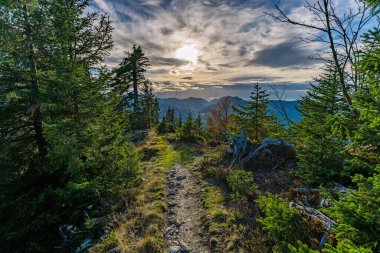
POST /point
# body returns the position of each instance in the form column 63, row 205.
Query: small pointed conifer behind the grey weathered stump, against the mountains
column 253, row 115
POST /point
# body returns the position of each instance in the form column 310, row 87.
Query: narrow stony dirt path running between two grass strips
column 186, row 216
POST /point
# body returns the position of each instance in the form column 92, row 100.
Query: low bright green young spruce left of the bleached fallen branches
column 283, row 224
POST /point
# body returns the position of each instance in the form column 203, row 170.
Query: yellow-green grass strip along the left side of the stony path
column 142, row 232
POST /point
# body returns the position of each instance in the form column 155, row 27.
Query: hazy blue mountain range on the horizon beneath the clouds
column 202, row 106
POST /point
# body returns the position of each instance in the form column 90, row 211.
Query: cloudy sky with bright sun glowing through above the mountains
column 213, row 48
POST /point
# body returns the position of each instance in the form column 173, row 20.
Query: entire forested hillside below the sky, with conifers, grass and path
column 89, row 163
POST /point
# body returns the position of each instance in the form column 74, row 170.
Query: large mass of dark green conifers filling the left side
column 63, row 156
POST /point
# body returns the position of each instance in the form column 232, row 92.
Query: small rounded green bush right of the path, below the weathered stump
column 241, row 183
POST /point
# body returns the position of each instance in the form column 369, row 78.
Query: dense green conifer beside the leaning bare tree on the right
column 320, row 154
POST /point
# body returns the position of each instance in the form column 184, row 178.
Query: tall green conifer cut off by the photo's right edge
column 365, row 146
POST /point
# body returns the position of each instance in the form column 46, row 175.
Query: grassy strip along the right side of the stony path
column 231, row 226
